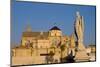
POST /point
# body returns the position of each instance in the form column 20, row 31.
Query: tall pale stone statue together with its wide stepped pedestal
column 80, row 53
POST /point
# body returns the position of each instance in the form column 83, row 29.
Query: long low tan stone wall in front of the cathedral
column 25, row 56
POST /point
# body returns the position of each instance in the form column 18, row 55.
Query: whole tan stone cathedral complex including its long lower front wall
column 39, row 47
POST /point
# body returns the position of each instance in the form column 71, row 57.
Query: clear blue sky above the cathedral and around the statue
column 43, row 16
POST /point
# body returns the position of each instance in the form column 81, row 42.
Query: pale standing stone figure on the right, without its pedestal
column 79, row 30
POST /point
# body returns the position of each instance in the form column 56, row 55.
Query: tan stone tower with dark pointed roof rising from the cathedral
column 55, row 34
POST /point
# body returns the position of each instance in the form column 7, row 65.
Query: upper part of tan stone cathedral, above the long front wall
column 51, row 38
